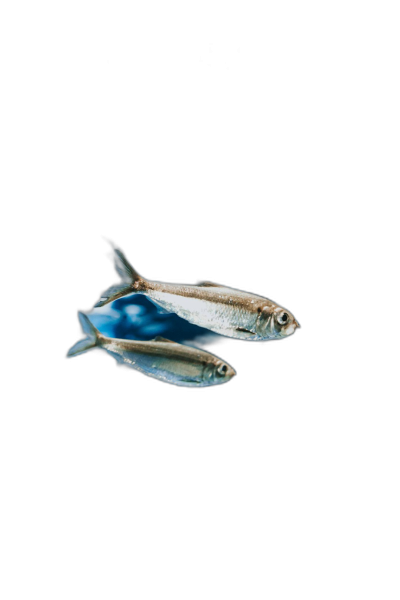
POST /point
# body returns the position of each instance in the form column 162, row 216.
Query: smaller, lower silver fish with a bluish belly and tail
column 159, row 358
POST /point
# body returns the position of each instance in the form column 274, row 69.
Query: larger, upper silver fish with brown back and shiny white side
column 224, row 310
